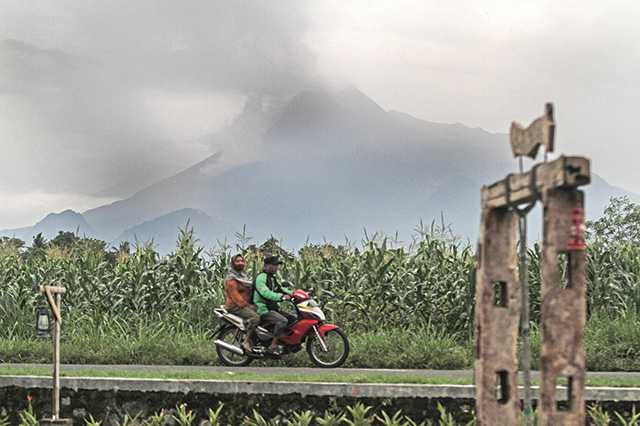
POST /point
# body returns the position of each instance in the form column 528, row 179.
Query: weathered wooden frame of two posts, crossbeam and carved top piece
column 502, row 290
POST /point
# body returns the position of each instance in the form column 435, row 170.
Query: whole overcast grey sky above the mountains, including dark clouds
column 96, row 94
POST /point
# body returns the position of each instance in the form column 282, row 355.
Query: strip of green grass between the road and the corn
column 612, row 344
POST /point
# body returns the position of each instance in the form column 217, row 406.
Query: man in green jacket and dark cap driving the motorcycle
column 267, row 293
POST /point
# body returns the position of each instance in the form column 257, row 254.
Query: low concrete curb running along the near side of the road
column 359, row 390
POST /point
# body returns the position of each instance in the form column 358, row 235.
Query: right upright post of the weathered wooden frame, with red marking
column 563, row 308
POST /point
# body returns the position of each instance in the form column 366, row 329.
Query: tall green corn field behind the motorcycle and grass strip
column 375, row 284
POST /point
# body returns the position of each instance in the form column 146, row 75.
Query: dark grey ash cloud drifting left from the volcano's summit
column 108, row 96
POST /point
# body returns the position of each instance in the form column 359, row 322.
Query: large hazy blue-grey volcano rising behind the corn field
column 324, row 165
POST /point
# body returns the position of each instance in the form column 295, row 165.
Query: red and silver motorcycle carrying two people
column 326, row 344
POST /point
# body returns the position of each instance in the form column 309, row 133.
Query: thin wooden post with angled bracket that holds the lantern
column 53, row 295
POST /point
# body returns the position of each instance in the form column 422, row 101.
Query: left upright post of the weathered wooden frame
column 498, row 301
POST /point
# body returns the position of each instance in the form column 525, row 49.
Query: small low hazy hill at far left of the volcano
column 53, row 223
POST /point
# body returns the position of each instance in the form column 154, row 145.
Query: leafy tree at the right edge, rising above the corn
column 620, row 222
